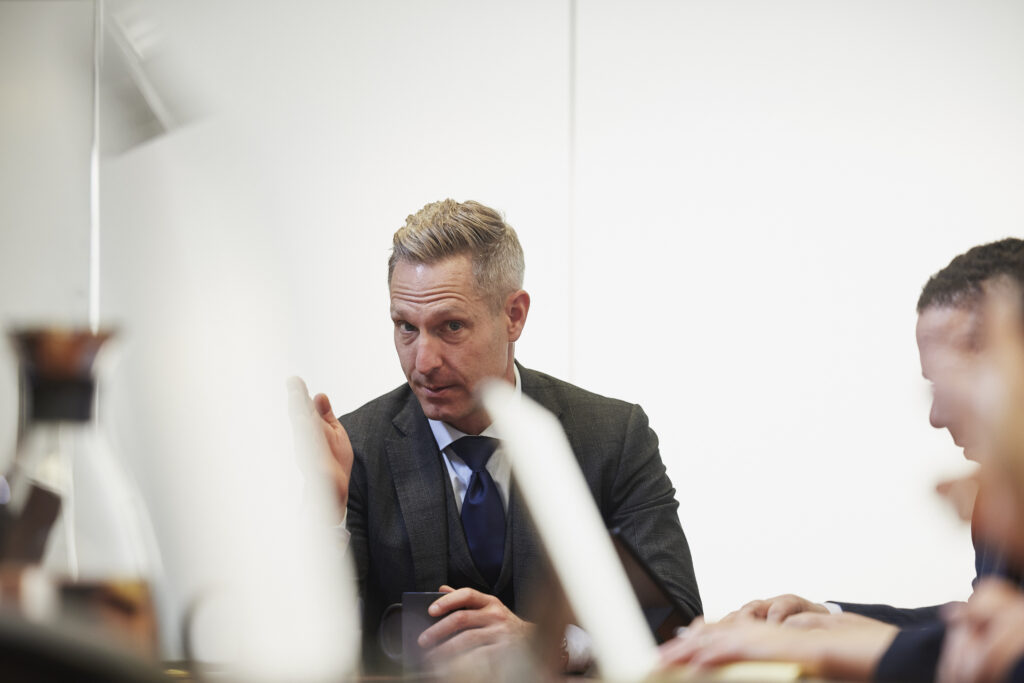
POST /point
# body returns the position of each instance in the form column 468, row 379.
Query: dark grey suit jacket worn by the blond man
column 399, row 515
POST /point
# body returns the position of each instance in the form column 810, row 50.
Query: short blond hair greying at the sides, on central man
column 443, row 230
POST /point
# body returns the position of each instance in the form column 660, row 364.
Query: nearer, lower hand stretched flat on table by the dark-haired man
column 848, row 649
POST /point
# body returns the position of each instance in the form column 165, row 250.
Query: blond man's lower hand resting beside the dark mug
column 473, row 621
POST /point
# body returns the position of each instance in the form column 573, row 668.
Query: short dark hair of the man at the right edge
column 962, row 284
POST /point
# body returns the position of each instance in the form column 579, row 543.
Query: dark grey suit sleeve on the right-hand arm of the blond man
column 643, row 504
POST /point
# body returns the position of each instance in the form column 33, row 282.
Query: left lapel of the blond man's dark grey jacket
column 419, row 478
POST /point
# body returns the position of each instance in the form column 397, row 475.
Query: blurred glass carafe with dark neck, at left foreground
column 69, row 508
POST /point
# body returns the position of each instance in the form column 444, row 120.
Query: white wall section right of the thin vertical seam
column 762, row 191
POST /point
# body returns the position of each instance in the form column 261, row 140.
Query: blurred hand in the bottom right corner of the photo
column 986, row 637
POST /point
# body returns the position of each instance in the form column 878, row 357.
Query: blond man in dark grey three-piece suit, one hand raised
column 414, row 492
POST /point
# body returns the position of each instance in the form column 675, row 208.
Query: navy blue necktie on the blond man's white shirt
column 483, row 513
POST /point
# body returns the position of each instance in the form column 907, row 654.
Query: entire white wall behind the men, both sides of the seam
column 729, row 210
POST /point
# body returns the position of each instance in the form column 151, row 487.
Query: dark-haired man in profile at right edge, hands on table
column 855, row 641
